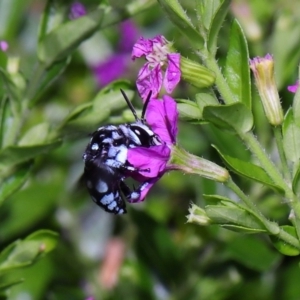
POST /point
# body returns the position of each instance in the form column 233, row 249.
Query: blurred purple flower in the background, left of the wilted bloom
column 117, row 64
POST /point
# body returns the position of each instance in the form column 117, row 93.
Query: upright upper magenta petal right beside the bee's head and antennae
column 162, row 117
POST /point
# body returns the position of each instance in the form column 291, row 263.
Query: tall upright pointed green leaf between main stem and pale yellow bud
column 237, row 70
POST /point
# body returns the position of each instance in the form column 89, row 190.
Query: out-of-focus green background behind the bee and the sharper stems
column 150, row 253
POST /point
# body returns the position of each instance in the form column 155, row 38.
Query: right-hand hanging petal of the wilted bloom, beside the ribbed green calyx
column 173, row 73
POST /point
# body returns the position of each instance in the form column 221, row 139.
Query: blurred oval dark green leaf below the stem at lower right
column 252, row 253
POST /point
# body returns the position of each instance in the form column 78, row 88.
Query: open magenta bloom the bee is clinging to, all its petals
column 162, row 117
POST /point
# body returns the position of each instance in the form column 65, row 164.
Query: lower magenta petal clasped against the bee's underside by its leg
column 154, row 158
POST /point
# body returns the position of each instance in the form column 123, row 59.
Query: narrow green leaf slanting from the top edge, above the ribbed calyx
column 179, row 18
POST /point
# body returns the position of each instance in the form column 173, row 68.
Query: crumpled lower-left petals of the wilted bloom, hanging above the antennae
column 149, row 80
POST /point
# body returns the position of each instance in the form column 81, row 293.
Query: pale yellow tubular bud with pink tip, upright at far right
column 263, row 70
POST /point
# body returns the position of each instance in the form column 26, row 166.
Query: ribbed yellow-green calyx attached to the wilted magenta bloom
column 196, row 74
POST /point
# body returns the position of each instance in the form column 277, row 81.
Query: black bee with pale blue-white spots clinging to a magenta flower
column 106, row 165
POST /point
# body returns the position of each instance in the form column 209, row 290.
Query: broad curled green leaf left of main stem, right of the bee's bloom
column 234, row 117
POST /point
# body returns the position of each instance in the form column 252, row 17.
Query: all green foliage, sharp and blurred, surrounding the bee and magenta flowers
column 248, row 241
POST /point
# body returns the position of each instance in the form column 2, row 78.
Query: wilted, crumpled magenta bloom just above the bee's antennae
column 162, row 68
